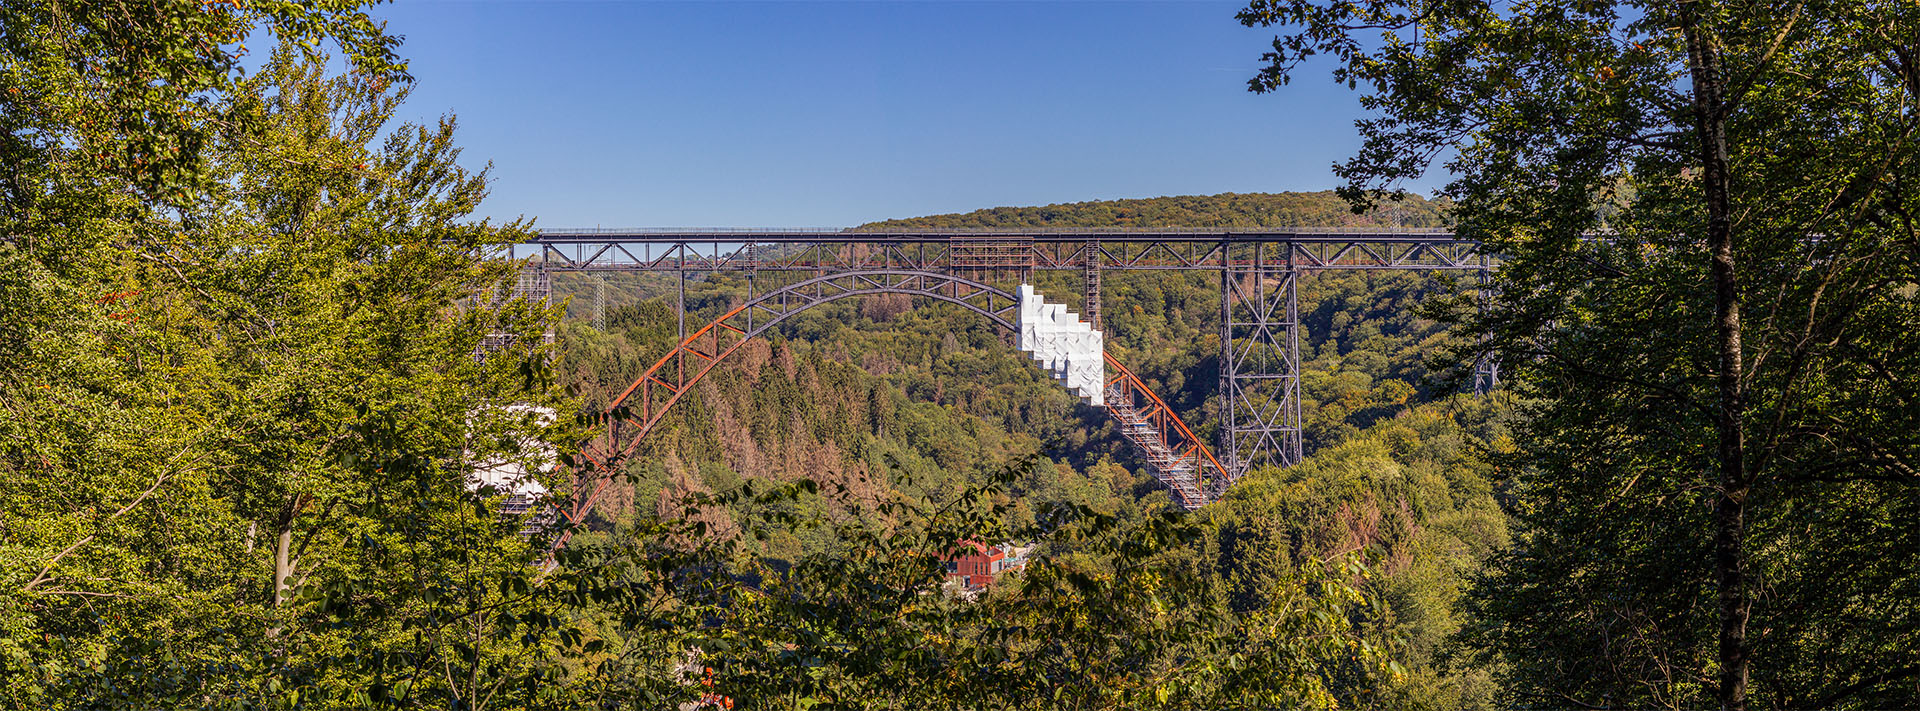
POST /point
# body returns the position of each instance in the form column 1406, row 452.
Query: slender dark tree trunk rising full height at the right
column 1731, row 508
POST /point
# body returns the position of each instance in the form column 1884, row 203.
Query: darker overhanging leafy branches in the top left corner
column 107, row 95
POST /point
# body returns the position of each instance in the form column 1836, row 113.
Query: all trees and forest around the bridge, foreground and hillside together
column 256, row 349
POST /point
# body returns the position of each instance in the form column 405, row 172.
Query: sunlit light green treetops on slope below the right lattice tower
column 1416, row 495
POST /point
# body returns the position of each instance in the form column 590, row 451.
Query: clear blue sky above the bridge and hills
column 832, row 114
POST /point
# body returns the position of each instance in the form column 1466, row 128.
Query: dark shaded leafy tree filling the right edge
column 1717, row 381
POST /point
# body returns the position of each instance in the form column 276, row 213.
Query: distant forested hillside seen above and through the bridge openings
column 867, row 380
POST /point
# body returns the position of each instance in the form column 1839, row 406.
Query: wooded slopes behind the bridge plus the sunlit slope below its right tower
column 896, row 401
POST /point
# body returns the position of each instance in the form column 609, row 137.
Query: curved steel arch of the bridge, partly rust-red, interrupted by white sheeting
column 1178, row 458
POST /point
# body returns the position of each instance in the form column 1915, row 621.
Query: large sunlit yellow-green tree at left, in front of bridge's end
column 237, row 472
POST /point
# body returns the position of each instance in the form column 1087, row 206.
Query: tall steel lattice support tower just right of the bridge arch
column 1259, row 358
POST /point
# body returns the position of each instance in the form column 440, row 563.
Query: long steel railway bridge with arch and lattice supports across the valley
column 788, row 272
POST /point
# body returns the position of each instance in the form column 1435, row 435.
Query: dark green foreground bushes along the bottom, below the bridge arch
column 1128, row 622
